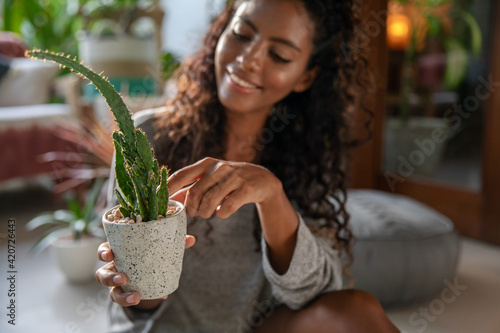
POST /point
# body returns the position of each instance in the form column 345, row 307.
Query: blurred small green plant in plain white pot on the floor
column 73, row 236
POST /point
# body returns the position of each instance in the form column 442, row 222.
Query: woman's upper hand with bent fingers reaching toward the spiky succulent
column 222, row 187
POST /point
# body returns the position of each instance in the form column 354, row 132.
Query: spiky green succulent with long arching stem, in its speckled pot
column 154, row 225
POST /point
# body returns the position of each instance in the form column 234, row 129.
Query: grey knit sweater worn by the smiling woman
column 227, row 285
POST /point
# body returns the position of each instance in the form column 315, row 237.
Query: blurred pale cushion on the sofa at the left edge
column 27, row 82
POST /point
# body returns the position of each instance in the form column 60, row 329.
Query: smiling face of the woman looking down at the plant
column 262, row 55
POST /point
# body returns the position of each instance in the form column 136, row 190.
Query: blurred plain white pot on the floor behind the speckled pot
column 77, row 259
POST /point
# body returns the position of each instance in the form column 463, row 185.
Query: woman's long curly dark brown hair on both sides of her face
column 309, row 154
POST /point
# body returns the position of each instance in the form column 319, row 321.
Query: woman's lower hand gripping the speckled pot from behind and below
column 108, row 276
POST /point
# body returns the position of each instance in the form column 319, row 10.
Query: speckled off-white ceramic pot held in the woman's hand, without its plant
column 149, row 253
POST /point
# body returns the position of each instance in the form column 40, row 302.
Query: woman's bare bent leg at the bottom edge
column 346, row 311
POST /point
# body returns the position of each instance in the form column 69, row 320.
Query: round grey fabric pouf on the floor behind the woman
column 404, row 250
